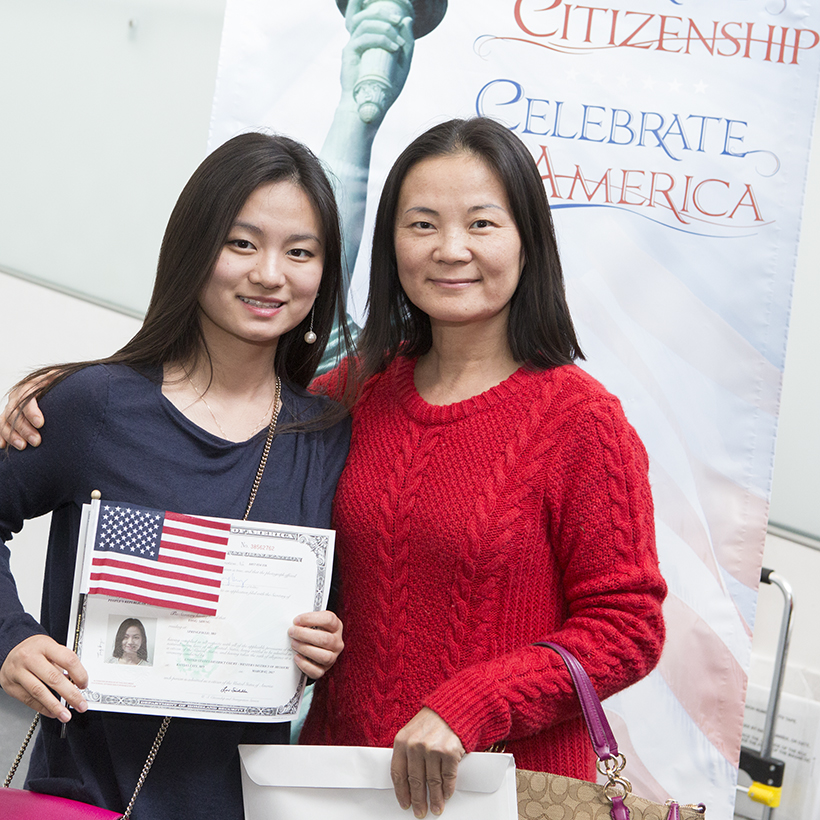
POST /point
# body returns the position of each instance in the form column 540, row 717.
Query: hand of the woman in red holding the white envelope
column 426, row 754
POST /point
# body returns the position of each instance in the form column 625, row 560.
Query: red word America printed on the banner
column 663, row 196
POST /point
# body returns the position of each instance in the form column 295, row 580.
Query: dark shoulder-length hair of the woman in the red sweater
column 540, row 330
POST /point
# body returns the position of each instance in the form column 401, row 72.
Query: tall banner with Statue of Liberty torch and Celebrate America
column 673, row 140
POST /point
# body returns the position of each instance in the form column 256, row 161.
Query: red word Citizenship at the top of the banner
column 570, row 27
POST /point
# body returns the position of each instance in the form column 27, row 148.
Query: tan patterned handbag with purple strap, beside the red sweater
column 543, row 796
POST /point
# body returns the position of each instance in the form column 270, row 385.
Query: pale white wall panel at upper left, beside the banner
column 105, row 107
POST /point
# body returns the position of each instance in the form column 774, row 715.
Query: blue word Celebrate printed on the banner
column 507, row 101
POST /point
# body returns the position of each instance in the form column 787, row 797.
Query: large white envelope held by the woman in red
column 353, row 783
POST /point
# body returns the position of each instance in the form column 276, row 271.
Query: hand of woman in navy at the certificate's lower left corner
column 39, row 671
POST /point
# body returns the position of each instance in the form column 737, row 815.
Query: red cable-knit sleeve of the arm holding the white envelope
column 600, row 527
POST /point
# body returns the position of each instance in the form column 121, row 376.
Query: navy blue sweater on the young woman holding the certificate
column 110, row 428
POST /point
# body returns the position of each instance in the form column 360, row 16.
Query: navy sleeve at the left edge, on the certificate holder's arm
column 38, row 480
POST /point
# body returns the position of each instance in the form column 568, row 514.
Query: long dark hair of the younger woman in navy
column 195, row 235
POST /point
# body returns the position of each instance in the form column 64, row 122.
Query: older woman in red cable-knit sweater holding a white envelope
column 494, row 494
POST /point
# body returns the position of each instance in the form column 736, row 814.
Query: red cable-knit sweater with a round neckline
column 468, row 531
